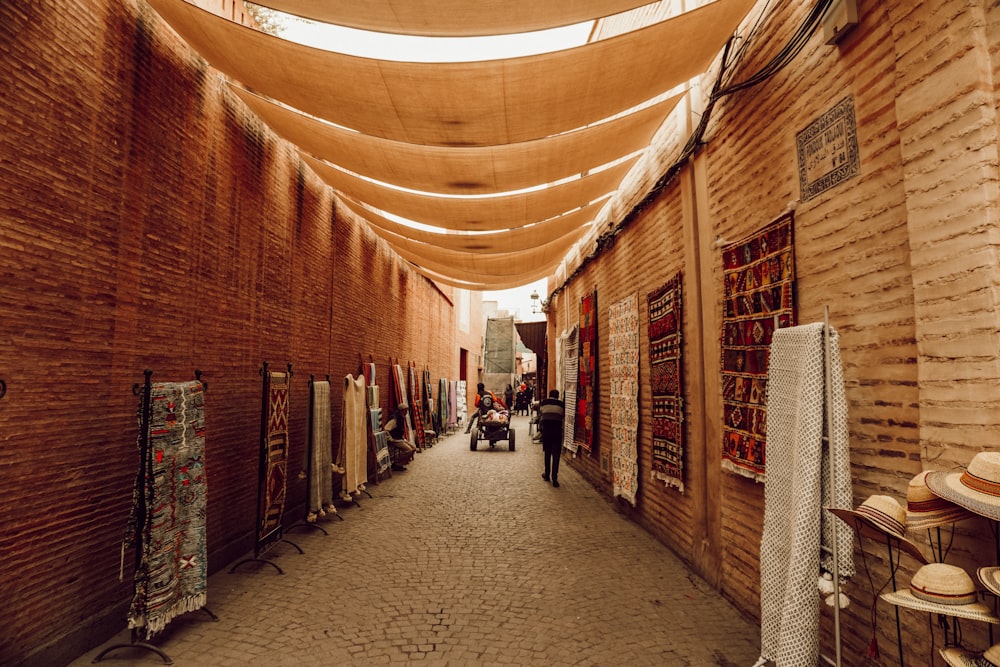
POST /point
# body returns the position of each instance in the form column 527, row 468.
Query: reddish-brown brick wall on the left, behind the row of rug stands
column 147, row 220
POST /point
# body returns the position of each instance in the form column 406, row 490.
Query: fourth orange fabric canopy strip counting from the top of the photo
column 475, row 213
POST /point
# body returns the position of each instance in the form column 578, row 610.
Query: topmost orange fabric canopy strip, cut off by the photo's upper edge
column 452, row 18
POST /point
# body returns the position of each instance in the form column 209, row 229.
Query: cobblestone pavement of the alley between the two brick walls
column 467, row 558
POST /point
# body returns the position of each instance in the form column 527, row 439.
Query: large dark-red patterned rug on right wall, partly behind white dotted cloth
column 759, row 276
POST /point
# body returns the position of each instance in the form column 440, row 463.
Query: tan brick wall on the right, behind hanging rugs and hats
column 904, row 256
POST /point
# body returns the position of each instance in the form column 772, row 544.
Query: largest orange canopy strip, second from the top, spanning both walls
column 473, row 103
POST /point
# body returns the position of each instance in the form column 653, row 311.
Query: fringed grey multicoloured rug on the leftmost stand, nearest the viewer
column 171, row 577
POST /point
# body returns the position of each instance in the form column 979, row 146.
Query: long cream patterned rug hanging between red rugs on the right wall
column 623, row 372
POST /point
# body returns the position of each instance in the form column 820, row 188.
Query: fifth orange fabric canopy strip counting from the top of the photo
column 508, row 240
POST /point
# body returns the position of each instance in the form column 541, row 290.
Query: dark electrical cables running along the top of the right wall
column 780, row 60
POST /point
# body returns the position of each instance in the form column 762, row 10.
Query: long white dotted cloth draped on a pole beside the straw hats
column 798, row 536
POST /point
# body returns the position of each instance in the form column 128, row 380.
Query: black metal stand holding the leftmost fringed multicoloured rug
column 142, row 500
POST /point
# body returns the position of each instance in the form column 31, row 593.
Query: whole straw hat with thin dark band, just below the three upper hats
column 940, row 588
